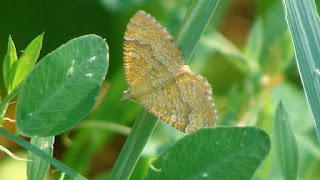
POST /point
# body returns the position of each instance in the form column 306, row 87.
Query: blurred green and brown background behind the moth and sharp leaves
column 239, row 30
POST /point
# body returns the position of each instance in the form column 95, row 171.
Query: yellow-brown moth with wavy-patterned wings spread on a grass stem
column 160, row 81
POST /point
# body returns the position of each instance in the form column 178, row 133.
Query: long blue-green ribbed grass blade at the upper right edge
column 304, row 26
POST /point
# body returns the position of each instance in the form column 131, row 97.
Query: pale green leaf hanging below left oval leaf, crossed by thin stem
column 38, row 167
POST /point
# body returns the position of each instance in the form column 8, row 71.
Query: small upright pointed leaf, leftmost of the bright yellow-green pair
column 8, row 64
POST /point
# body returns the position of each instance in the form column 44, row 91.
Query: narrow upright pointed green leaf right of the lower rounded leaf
column 285, row 144
